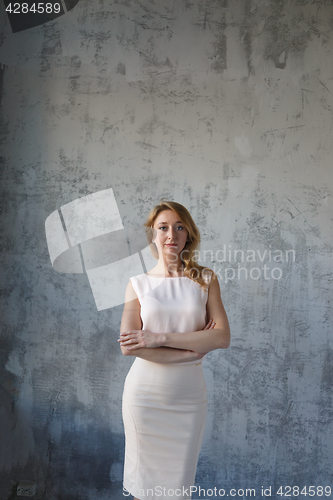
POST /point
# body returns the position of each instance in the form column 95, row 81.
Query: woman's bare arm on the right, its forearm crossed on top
column 202, row 341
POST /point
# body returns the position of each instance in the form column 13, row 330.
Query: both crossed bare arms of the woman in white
column 174, row 347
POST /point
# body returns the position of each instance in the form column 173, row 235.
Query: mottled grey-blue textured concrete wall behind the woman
column 226, row 107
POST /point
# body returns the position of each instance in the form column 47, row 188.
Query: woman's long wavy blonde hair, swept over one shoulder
column 192, row 269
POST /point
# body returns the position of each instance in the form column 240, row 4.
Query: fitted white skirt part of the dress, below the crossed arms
column 164, row 414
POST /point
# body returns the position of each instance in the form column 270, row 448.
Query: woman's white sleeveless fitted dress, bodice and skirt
column 165, row 405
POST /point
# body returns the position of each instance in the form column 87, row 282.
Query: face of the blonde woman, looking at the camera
column 170, row 234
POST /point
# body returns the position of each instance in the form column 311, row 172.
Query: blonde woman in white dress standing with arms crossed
column 172, row 317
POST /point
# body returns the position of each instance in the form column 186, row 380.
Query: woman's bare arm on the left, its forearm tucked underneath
column 131, row 320
